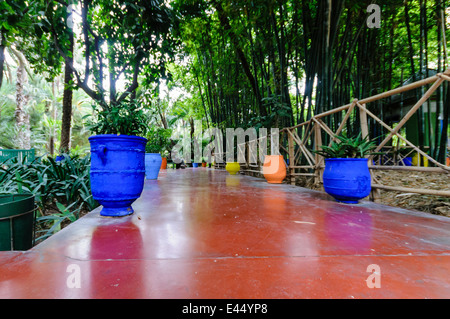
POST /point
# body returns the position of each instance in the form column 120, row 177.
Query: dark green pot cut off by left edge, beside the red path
column 16, row 222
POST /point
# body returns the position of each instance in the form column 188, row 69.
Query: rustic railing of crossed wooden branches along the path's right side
column 303, row 162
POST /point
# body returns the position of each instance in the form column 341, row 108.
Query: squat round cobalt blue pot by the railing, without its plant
column 347, row 179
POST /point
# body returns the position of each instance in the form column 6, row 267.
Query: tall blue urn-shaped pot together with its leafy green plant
column 117, row 156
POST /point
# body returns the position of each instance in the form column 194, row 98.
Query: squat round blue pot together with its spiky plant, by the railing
column 346, row 176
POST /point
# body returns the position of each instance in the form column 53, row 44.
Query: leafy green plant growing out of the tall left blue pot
column 124, row 118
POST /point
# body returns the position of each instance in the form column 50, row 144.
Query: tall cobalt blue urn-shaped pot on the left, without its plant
column 117, row 172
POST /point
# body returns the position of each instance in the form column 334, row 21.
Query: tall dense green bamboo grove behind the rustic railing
column 276, row 63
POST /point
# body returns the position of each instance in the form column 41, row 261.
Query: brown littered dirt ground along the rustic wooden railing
column 437, row 205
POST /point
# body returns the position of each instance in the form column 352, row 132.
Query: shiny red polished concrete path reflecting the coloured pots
column 201, row 233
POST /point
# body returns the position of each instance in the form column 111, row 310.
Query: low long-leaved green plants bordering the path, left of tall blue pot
column 61, row 189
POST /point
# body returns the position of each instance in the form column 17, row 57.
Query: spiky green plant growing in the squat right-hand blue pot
column 348, row 147
